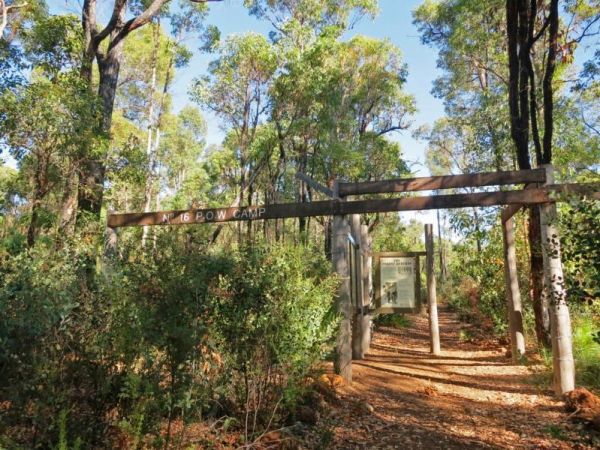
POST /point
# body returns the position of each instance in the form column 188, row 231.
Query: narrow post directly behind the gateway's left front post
column 358, row 350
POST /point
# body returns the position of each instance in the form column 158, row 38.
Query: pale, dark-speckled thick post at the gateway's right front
column 554, row 286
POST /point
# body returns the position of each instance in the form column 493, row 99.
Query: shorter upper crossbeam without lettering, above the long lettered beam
column 443, row 182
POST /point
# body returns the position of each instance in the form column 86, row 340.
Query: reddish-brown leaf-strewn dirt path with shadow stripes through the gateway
column 471, row 396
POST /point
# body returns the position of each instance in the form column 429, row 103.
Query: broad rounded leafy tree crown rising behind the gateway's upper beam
column 334, row 104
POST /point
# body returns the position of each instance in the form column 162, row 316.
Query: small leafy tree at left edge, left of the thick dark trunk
column 45, row 125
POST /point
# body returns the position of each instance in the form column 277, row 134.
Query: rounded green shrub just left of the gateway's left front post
column 274, row 318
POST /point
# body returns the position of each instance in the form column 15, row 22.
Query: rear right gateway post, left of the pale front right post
column 513, row 295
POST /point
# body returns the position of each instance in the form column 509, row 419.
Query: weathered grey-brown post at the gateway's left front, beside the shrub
column 341, row 266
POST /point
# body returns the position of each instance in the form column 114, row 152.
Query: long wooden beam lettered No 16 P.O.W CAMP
column 335, row 207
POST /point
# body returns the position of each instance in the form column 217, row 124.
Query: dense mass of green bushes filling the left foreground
column 103, row 359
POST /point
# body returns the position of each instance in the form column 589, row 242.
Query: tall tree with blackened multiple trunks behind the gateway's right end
column 496, row 65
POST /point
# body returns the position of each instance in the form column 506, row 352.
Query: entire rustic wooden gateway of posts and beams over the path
column 539, row 191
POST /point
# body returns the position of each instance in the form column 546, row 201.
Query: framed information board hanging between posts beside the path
column 397, row 282
